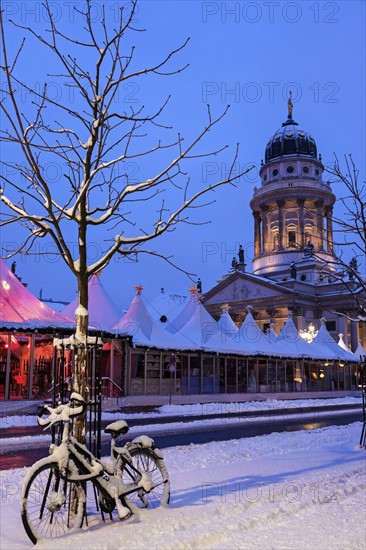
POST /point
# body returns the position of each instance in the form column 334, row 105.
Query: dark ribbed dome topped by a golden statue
column 290, row 139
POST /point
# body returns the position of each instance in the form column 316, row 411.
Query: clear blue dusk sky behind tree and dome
column 248, row 55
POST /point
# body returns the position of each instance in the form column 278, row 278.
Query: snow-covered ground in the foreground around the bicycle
column 291, row 490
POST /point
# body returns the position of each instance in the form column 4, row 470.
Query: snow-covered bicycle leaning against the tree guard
column 53, row 498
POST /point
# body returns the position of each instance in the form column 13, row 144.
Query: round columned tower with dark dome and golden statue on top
column 293, row 207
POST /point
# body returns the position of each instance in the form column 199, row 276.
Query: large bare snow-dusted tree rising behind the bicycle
column 93, row 140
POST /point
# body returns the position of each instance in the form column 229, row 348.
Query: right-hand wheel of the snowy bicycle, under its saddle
column 152, row 474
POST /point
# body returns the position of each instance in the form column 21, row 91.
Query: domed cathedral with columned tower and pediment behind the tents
column 294, row 269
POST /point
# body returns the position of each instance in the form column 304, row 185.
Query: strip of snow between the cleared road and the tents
column 12, row 421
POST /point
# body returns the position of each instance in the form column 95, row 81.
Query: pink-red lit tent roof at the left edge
column 20, row 309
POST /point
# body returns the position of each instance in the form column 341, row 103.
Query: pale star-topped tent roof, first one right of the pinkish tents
column 138, row 323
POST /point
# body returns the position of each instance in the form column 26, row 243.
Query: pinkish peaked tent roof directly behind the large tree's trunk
column 103, row 312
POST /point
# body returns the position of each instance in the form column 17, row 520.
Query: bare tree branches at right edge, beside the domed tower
column 350, row 232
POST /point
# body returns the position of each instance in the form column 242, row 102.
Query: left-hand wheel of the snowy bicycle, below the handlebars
column 51, row 505
